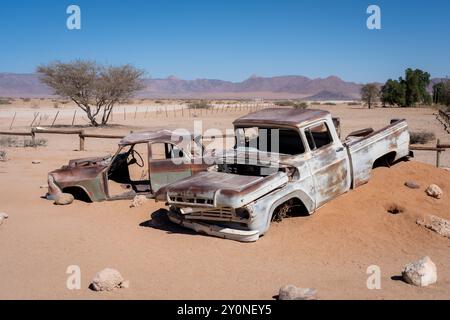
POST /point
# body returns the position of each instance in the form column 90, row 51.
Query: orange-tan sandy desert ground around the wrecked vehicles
column 329, row 250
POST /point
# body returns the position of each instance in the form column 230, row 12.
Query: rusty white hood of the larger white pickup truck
column 218, row 189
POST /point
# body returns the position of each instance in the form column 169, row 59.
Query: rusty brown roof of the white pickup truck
column 282, row 116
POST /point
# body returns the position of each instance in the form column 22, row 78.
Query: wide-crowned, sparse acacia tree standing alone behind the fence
column 94, row 88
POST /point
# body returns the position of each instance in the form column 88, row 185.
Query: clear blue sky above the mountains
column 231, row 40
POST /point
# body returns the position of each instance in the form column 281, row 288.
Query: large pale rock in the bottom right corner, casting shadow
column 420, row 273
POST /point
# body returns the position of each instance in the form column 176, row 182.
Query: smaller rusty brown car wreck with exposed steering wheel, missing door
column 142, row 164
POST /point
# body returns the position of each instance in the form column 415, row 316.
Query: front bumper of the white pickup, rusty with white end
column 214, row 230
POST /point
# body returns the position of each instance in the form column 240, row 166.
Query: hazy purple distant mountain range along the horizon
column 281, row 87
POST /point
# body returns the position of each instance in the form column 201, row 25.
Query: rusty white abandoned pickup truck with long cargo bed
column 237, row 198
